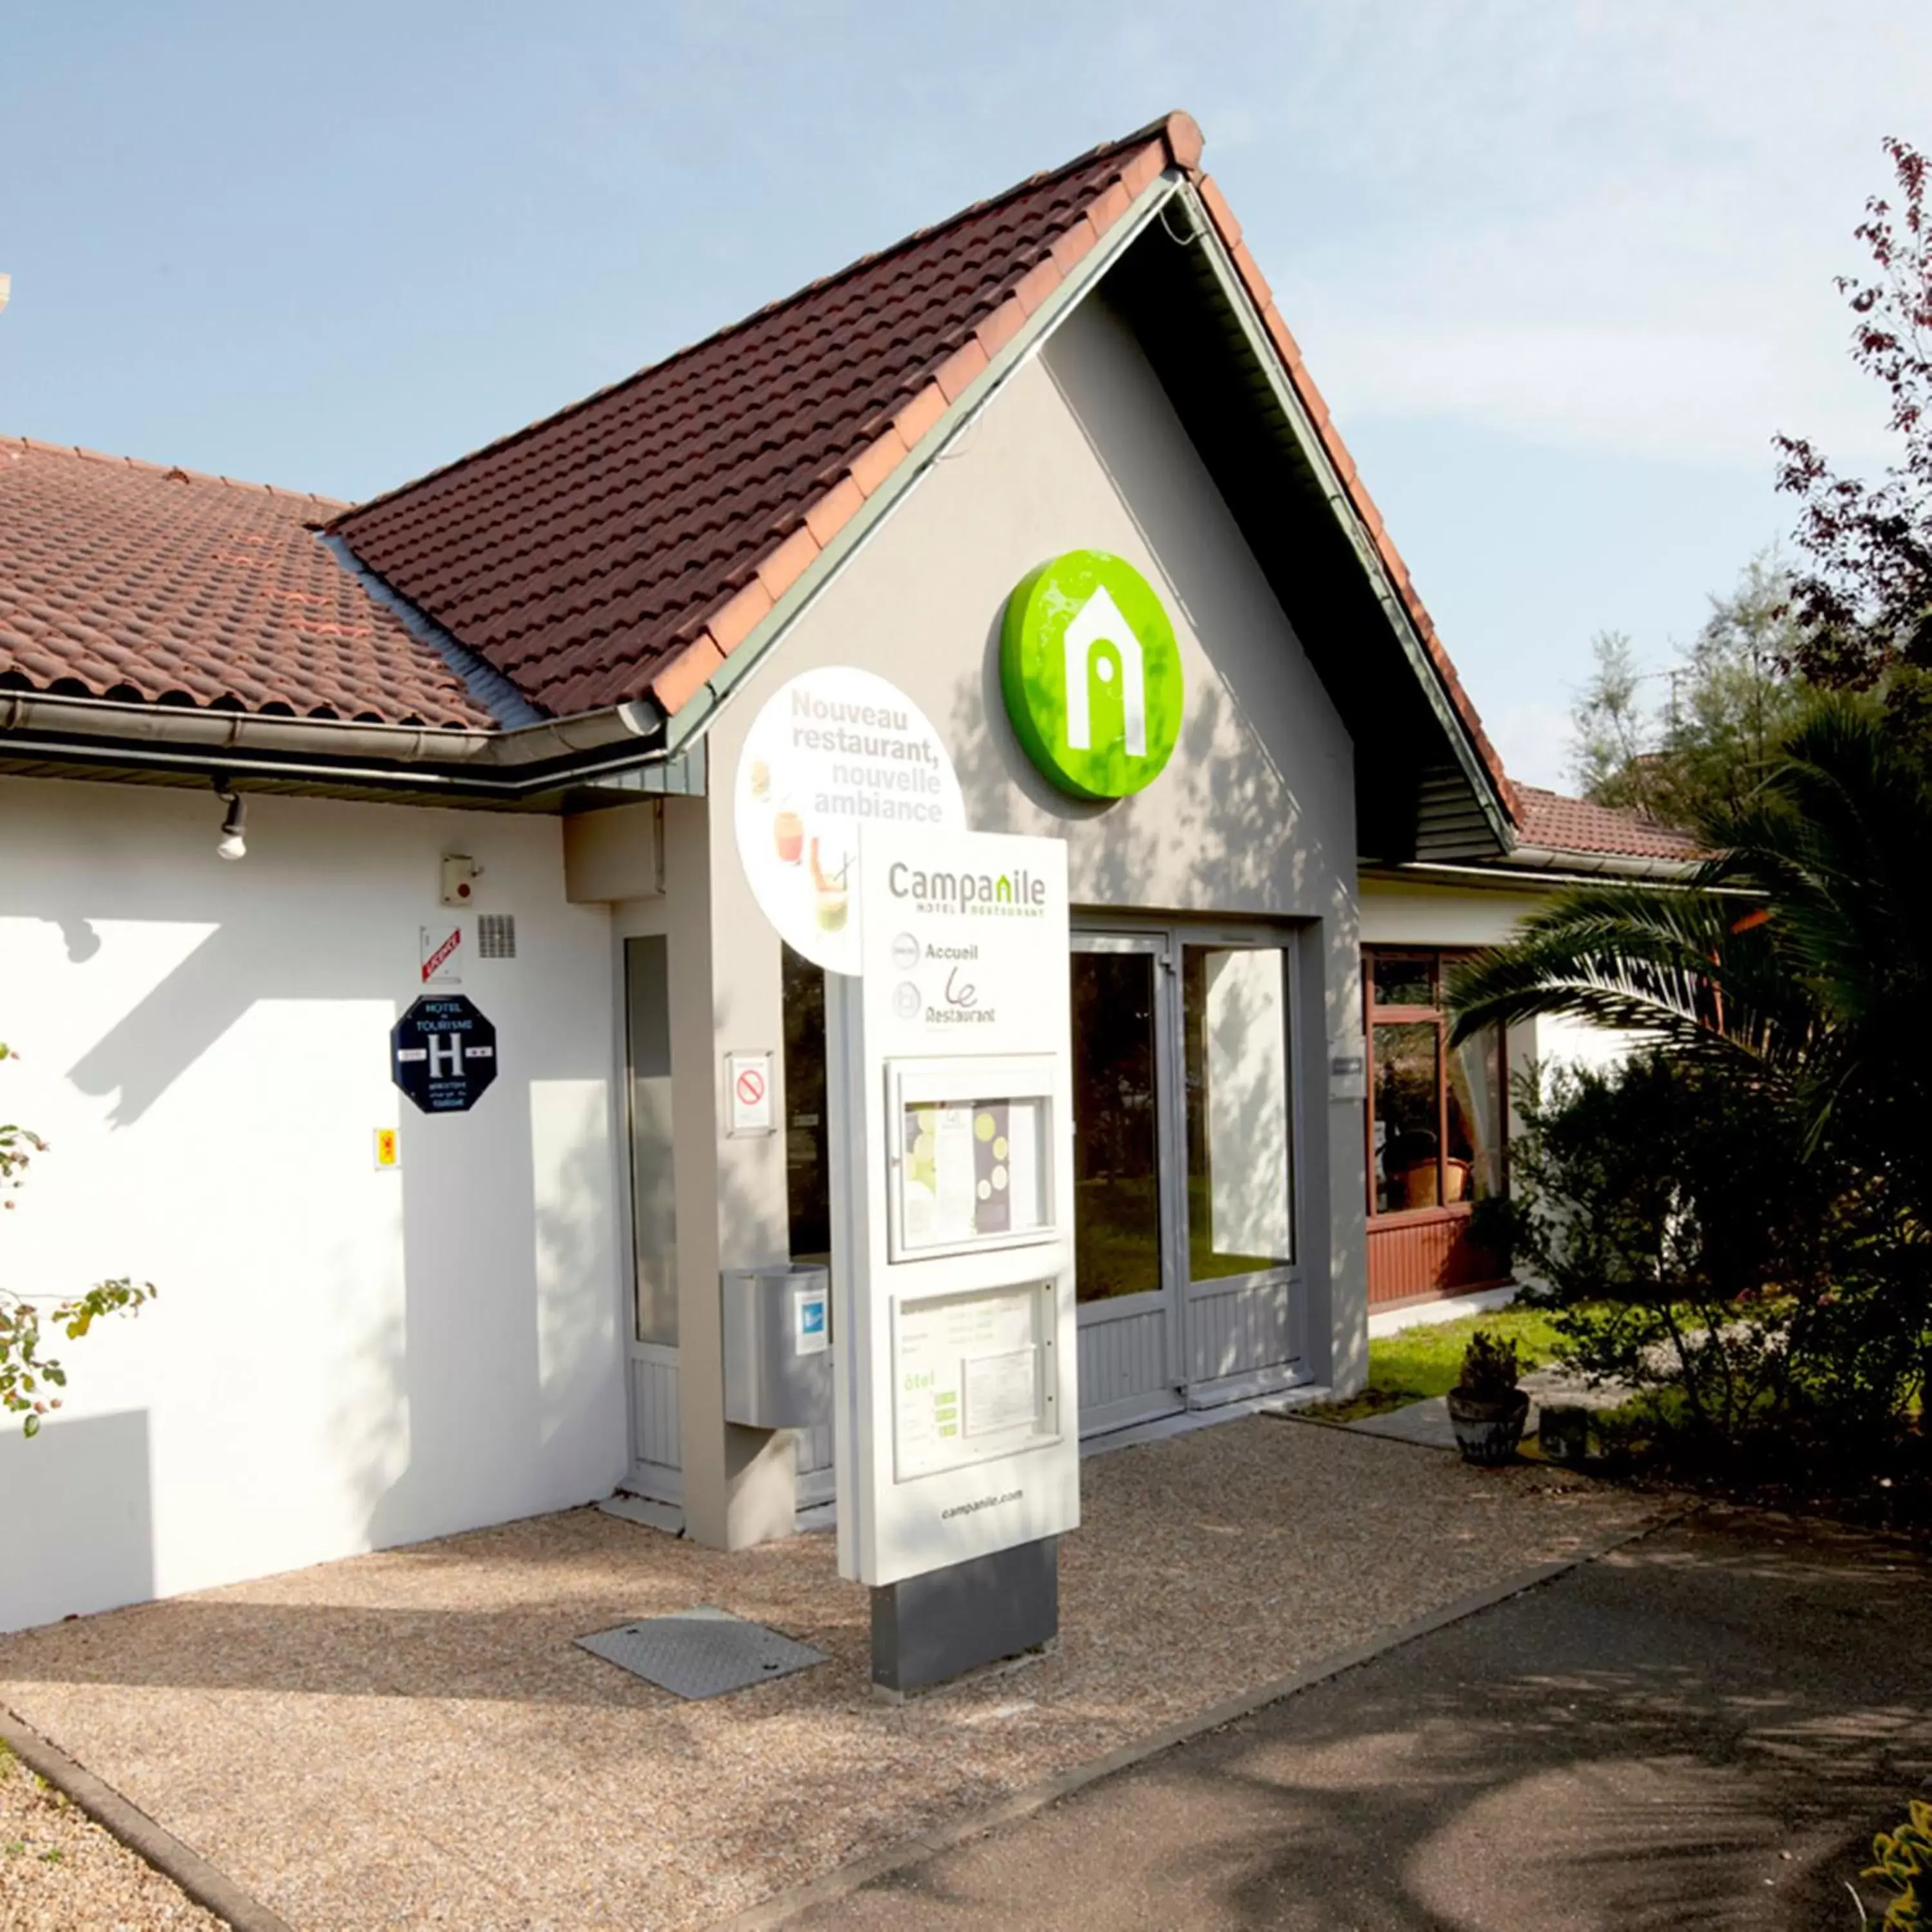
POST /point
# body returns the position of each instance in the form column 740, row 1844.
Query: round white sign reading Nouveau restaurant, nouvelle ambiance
column 830, row 753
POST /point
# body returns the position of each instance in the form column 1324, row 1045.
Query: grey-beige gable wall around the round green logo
column 1253, row 816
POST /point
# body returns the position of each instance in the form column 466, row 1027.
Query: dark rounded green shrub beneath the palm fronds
column 1697, row 1243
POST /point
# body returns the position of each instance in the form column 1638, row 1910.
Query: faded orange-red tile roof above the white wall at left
column 127, row 581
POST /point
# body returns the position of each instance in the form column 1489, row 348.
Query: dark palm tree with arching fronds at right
column 1794, row 977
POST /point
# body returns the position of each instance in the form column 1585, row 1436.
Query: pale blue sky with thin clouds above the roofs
column 1562, row 270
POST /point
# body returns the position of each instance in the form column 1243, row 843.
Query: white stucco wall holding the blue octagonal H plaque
column 341, row 1359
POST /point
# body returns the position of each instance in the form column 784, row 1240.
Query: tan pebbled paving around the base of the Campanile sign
column 412, row 1740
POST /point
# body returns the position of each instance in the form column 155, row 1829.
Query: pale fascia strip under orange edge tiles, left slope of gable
column 934, row 447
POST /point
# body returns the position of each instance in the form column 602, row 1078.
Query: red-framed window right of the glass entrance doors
column 1436, row 1114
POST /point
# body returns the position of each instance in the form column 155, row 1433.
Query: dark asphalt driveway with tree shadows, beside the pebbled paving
column 1701, row 1730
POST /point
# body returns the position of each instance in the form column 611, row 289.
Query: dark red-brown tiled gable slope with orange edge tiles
column 627, row 544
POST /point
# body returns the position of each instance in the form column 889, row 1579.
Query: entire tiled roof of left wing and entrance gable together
column 623, row 548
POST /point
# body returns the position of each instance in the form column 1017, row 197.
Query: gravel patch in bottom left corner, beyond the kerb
column 59, row 1871
